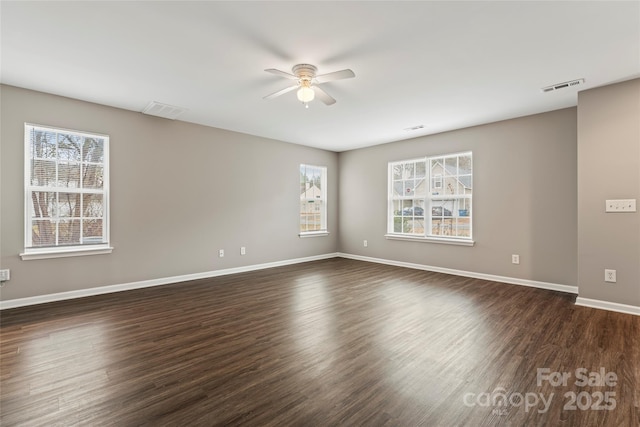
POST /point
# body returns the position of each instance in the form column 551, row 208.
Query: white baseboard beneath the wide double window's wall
column 491, row 277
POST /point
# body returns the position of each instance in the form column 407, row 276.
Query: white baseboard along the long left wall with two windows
column 61, row 296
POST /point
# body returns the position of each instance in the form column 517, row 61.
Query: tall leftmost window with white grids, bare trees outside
column 66, row 192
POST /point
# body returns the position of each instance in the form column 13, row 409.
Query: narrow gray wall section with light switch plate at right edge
column 609, row 168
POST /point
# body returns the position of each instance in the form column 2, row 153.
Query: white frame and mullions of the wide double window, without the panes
column 428, row 199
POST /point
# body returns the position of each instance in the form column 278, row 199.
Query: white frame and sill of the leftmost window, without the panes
column 58, row 250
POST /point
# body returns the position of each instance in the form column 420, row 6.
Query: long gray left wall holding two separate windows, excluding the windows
column 179, row 192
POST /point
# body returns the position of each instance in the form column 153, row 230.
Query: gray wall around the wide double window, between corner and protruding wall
column 524, row 199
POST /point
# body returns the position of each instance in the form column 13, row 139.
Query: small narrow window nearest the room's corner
column 313, row 200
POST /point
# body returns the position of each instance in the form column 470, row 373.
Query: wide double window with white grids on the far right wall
column 430, row 198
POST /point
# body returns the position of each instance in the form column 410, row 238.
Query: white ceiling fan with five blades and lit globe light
column 308, row 83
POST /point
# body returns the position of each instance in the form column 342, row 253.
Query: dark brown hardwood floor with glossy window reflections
column 326, row 343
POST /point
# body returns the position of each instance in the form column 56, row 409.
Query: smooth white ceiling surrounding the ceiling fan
column 444, row 65
